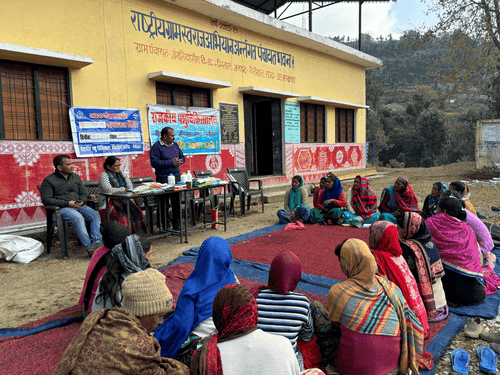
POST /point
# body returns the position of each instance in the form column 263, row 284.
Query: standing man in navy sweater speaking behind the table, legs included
column 166, row 156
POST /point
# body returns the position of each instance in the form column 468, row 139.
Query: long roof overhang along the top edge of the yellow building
column 241, row 16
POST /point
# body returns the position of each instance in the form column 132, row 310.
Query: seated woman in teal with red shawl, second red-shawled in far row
column 397, row 199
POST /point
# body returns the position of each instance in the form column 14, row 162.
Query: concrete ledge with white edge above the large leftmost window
column 42, row 56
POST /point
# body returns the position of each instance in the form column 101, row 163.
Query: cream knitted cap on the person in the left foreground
column 145, row 293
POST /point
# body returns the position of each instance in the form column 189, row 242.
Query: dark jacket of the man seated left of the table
column 56, row 190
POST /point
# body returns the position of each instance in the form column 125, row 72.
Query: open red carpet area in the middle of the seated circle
column 314, row 246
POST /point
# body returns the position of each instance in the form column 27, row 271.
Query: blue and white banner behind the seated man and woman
column 106, row 131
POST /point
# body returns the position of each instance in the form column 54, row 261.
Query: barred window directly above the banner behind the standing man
column 169, row 94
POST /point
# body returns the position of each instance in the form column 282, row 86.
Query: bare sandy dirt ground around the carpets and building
column 49, row 283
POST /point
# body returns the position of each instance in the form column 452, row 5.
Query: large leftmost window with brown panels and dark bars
column 34, row 102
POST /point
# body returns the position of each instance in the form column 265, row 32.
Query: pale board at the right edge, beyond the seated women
column 488, row 144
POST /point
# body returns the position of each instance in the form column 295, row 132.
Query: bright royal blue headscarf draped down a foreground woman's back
column 194, row 304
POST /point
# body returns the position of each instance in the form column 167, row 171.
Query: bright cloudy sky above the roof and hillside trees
column 377, row 18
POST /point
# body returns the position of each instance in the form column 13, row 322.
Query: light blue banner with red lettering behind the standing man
column 197, row 130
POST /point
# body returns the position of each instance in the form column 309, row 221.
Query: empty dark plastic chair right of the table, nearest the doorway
column 240, row 186
